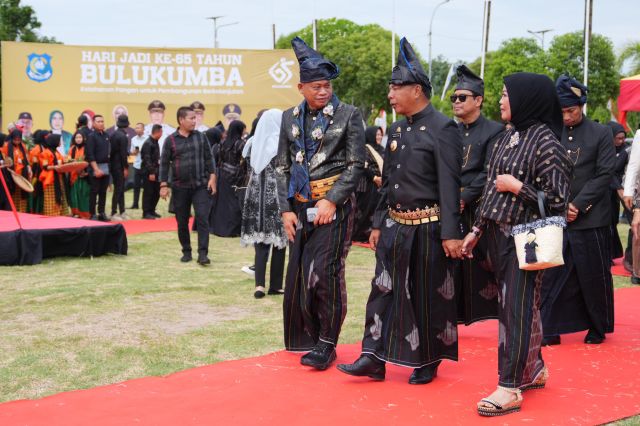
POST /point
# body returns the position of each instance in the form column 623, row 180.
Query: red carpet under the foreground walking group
column 588, row 385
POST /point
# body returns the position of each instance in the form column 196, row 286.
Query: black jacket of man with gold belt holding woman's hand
column 422, row 168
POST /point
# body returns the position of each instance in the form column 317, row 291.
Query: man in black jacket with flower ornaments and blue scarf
column 319, row 162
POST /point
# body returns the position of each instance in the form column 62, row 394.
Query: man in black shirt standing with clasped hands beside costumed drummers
column 98, row 152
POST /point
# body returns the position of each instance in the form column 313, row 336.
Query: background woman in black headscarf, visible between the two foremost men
column 370, row 182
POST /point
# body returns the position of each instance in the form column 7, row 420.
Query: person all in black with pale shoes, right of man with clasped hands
column 119, row 167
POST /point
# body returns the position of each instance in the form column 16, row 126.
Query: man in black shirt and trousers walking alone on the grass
column 187, row 153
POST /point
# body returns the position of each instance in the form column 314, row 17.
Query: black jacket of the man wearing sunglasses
column 478, row 139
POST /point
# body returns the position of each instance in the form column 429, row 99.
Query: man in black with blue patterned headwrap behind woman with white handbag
column 579, row 295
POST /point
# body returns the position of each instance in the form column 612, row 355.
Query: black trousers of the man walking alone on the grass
column 183, row 199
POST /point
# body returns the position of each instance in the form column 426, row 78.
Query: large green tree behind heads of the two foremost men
column 363, row 53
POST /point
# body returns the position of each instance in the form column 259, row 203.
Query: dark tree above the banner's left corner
column 19, row 23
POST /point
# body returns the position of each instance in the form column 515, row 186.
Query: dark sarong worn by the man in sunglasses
column 476, row 286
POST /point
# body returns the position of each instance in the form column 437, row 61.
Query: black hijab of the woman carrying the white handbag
column 533, row 99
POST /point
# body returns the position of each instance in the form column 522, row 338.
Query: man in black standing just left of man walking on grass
column 149, row 168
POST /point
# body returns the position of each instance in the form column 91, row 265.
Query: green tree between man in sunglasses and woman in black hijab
column 514, row 55
